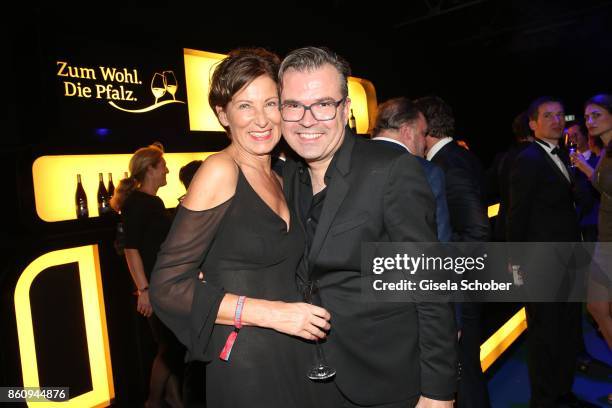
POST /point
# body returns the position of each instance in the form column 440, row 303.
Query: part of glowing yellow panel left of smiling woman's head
column 199, row 66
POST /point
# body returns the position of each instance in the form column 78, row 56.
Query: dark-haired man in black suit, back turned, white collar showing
column 469, row 222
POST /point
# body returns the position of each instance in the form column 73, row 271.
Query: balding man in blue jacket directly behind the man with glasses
column 400, row 125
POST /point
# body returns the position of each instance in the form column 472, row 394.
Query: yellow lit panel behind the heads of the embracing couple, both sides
column 199, row 66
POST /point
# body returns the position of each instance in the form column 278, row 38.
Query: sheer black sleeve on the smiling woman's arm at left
column 185, row 304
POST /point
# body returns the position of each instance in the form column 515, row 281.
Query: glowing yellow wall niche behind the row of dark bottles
column 55, row 181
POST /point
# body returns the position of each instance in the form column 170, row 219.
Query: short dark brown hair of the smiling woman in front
column 241, row 67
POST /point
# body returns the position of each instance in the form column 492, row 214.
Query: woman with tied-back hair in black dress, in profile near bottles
column 146, row 226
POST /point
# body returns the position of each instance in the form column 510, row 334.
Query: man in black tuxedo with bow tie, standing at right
column 542, row 210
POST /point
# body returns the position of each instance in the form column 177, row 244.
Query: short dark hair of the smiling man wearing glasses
column 311, row 58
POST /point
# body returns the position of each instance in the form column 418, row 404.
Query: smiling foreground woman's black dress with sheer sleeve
column 243, row 248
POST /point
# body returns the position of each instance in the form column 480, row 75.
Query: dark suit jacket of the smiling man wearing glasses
column 383, row 352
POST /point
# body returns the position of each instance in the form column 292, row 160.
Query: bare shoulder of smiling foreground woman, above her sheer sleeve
column 213, row 184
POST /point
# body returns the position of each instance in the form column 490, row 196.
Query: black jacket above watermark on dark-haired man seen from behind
column 464, row 193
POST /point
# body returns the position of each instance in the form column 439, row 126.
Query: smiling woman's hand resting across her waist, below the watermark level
column 299, row 319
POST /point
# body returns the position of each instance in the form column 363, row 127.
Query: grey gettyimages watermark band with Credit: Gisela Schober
column 482, row 272
